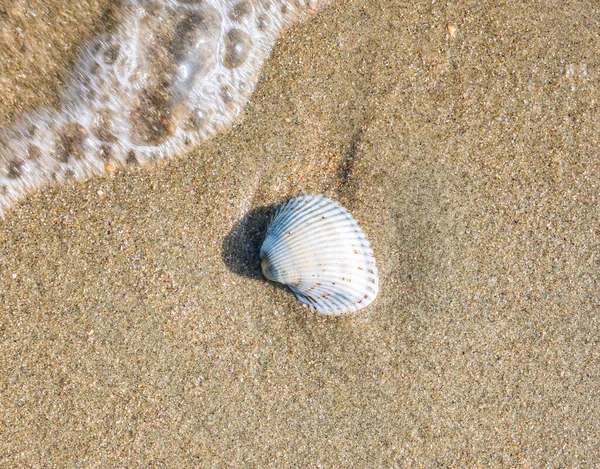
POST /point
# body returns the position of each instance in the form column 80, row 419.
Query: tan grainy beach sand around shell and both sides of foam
column 136, row 332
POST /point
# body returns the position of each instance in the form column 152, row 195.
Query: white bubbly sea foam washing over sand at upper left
column 168, row 75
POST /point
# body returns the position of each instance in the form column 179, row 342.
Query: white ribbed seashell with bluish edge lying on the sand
column 316, row 248
